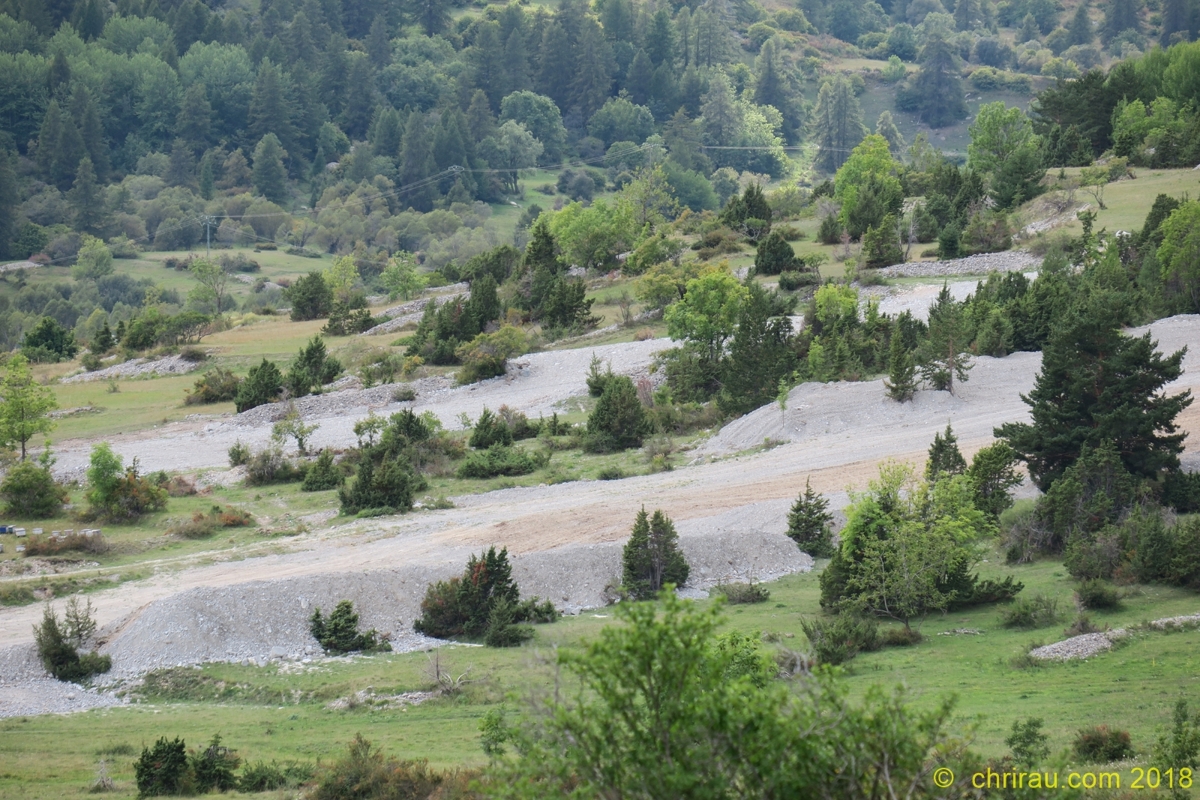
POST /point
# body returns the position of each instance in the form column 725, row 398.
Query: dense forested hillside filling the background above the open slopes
column 376, row 129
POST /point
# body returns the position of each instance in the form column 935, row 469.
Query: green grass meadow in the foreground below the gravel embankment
column 277, row 714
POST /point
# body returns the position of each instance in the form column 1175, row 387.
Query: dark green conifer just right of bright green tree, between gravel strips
column 761, row 353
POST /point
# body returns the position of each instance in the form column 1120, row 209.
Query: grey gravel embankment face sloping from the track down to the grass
column 268, row 621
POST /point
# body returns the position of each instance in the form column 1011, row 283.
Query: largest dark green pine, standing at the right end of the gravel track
column 1100, row 386
